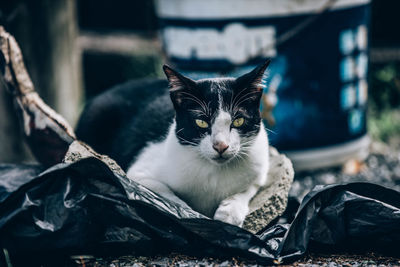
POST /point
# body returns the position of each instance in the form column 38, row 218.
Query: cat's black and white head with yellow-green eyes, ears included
column 220, row 118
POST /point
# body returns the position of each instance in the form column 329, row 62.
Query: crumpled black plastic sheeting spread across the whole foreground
column 83, row 208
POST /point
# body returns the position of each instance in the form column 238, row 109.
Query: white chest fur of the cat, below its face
column 197, row 181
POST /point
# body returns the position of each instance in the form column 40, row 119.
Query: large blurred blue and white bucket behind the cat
column 316, row 99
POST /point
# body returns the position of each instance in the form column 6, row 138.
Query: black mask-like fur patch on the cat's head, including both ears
column 202, row 99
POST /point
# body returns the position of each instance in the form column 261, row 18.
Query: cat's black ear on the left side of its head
column 178, row 84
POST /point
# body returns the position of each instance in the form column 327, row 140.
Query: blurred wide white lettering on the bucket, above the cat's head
column 234, row 43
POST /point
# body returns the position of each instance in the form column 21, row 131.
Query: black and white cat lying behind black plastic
column 206, row 148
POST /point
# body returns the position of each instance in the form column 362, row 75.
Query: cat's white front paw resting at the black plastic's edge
column 232, row 212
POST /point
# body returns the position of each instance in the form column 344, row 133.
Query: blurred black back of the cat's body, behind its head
column 121, row 121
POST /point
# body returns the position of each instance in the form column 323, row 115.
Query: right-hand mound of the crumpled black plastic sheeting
column 352, row 217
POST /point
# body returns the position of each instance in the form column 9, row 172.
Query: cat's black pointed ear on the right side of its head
column 253, row 80
